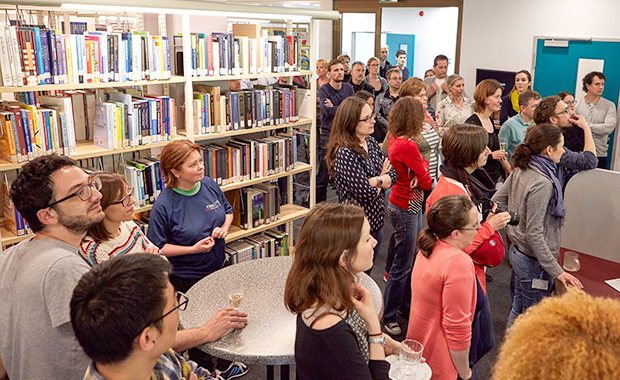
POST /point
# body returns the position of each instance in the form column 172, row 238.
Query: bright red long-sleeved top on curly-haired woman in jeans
column 404, row 154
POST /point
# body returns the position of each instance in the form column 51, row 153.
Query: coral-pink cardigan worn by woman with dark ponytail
column 443, row 302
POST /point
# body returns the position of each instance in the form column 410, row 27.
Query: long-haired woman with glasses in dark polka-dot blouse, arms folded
column 360, row 169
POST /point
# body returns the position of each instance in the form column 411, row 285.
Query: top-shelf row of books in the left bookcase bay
column 35, row 55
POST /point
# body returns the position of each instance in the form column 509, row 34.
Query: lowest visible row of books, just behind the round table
column 270, row 243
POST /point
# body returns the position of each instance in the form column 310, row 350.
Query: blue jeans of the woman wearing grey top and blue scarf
column 525, row 270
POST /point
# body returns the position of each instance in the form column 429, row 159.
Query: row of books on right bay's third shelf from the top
column 242, row 159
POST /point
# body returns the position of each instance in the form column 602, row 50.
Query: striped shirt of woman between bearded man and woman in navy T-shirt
column 130, row 240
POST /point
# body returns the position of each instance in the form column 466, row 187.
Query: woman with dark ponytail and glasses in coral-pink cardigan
column 444, row 288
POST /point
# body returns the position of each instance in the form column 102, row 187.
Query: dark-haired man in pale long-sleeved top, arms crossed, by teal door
column 599, row 113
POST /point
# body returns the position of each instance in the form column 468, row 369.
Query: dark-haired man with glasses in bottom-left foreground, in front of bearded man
column 125, row 314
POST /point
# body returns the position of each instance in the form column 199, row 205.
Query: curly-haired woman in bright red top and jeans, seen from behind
column 405, row 203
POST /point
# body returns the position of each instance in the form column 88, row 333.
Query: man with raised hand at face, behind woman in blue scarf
column 554, row 111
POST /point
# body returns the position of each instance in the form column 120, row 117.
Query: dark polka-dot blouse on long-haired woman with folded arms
column 351, row 174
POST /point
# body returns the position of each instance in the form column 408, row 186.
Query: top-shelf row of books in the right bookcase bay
column 247, row 50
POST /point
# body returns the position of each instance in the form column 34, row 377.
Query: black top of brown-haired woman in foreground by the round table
column 333, row 353
